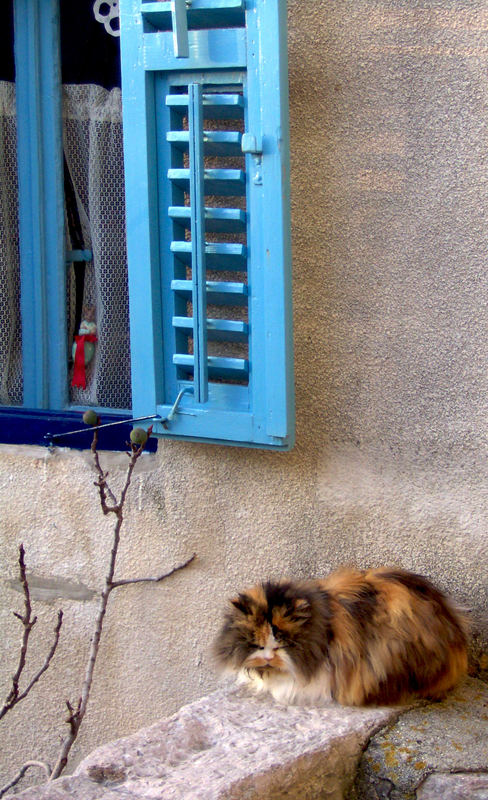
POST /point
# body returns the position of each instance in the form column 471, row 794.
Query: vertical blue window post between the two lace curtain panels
column 41, row 203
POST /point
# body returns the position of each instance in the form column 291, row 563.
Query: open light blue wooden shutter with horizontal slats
column 205, row 112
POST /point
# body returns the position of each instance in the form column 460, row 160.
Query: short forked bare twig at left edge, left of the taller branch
column 28, row 621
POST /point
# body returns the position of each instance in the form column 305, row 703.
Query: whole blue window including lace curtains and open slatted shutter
column 206, row 171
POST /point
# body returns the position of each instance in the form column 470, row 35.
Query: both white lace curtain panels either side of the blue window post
column 92, row 122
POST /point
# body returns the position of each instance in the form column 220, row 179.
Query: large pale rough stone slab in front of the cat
column 226, row 746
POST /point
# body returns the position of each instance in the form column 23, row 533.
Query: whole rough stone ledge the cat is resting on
column 233, row 745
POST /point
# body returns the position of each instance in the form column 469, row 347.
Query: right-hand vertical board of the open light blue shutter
column 268, row 121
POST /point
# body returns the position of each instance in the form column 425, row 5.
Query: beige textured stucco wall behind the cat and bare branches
column 390, row 239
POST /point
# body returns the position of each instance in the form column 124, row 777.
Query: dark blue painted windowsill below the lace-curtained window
column 32, row 426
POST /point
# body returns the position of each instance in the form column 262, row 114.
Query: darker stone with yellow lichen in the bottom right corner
column 450, row 736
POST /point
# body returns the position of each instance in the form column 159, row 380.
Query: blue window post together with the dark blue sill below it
column 45, row 416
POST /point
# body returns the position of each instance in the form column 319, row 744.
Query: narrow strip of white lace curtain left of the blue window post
column 10, row 325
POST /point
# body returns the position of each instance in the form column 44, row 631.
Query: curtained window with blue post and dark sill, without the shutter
column 62, row 228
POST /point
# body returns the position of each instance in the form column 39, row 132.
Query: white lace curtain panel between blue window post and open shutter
column 92, row 118
